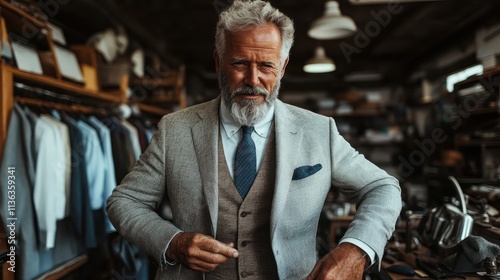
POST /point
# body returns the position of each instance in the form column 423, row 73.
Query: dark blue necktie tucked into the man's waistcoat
column 245, row 162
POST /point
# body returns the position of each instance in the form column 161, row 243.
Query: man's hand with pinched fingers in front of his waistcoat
column 199, row 252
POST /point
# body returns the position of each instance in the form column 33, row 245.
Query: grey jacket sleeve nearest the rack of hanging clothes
column 132, row 207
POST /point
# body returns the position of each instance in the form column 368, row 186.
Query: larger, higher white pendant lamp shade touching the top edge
column 332, row 25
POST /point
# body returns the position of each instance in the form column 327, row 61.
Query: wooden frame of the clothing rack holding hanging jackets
column 57, row 94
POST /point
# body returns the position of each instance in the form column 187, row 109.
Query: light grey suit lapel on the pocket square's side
column 288, row 139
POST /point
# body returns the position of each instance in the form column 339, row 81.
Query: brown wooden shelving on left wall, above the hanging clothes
column 163, row 92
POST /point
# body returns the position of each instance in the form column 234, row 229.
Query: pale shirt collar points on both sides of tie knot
column 231, row 127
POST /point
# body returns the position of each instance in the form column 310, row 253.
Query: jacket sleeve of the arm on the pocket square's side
column 376, row 193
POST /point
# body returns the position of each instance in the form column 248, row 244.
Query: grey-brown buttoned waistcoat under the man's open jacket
column 246, row 223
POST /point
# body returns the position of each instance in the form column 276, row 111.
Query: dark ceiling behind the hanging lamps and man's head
column 182, row 31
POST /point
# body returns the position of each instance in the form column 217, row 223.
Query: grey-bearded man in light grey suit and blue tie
column 230, row 222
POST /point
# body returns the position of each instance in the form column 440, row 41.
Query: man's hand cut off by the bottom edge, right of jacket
column 347, row 261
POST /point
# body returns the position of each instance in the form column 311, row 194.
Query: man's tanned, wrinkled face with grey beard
column 250, row 71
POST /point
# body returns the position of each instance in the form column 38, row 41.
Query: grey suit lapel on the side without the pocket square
column 205, row 137
